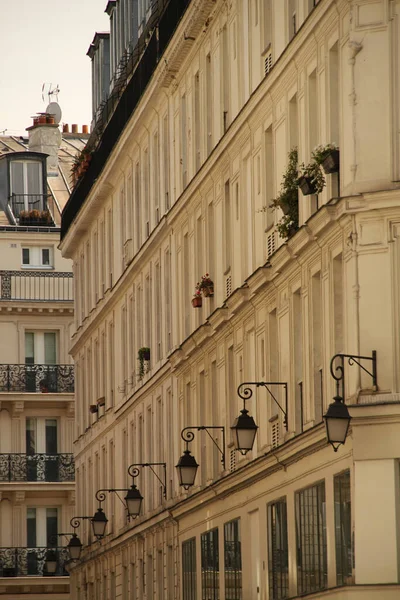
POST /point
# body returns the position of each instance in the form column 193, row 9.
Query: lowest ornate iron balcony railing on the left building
column 25, row 562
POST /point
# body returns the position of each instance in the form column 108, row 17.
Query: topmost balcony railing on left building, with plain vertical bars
column 36, row 286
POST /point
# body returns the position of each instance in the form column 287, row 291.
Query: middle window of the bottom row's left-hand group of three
column 210, row 565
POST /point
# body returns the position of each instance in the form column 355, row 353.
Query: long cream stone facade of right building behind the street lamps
column 195, row 150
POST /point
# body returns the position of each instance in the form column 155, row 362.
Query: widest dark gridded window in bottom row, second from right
column 312, row 570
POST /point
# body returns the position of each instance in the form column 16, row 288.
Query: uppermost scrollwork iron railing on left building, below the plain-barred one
column 53, row 379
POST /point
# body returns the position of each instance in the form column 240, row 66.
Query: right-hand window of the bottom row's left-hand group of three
column 233, row 560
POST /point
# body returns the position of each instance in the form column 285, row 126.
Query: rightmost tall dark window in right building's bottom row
column 341, row 483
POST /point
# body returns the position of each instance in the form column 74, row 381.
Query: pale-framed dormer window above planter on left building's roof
column 26, row 186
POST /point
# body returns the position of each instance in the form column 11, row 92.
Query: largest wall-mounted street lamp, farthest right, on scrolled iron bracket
column 337, row 418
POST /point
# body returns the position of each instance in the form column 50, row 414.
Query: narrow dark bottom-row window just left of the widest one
column 278, row 563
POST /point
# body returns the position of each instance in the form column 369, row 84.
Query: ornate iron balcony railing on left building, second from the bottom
column 37, row 467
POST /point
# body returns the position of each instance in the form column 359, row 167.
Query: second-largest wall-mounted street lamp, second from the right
column 244, row 428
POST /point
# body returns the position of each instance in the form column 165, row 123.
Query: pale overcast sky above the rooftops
column 45, row 41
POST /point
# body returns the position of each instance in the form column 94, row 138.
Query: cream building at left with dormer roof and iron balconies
column 37, row 477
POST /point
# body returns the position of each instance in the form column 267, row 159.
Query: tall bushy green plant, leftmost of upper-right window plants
column 288, row 198
